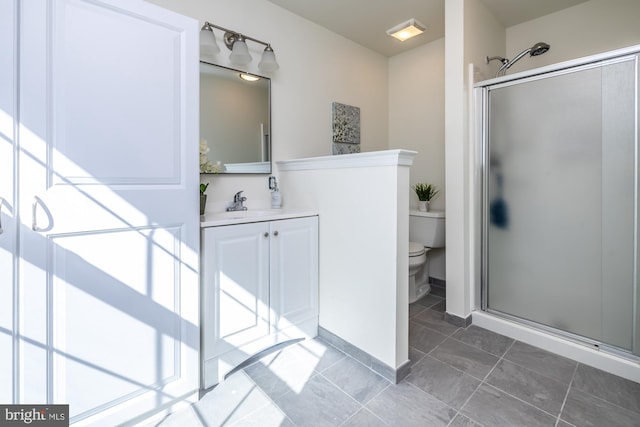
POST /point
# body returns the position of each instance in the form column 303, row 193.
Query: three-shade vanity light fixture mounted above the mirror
column 237, row 43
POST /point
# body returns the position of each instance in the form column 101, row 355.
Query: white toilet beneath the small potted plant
column 426, row 232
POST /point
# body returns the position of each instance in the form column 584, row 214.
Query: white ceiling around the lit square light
column 366, row 21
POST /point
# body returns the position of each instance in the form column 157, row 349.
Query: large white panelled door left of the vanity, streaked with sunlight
column 108, row 174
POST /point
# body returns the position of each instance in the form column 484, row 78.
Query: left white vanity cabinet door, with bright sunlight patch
column 235, row 285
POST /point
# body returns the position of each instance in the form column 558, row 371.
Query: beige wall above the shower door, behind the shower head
column 586, row 29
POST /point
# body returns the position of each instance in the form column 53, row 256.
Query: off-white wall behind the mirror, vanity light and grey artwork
column 317, row 67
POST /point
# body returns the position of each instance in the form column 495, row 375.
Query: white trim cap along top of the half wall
column 355, row 160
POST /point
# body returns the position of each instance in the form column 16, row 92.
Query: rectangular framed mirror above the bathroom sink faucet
column 235, row 121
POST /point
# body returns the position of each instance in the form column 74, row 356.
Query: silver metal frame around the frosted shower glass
column 481, row 106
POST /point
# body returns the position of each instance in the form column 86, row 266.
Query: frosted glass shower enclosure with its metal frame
column 560, row 201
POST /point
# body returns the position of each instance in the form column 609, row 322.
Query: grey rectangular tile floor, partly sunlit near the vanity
column 459, row 377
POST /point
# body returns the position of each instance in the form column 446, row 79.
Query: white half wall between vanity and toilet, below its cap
column 363, row 248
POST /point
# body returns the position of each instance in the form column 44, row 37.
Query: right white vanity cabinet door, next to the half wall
column 294, row 271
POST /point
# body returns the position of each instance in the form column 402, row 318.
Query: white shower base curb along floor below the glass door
column 573, row 350
